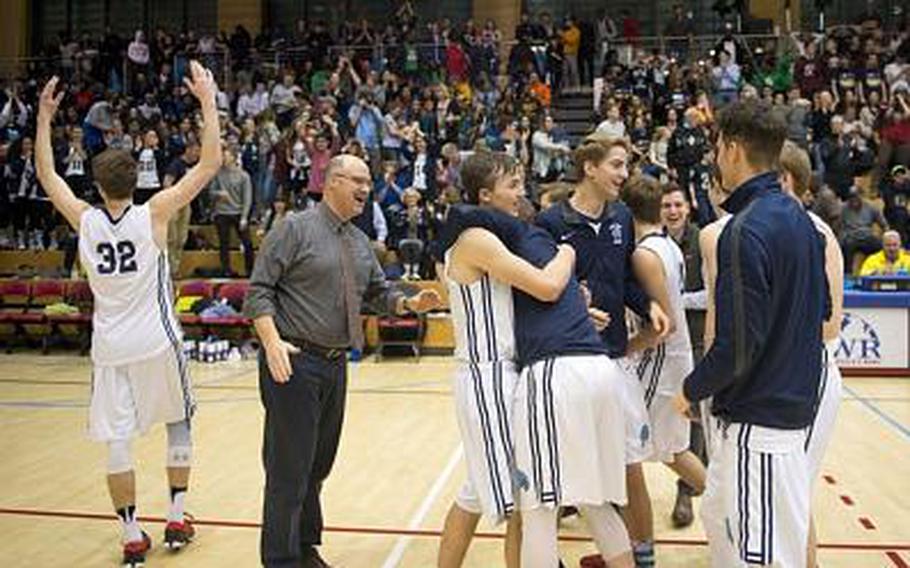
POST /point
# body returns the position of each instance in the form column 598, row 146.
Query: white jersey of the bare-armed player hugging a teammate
column 483, row 319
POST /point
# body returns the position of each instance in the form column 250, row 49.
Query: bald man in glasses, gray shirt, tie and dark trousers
column 312, row 274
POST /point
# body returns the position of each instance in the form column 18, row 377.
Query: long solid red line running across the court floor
column 226, row 523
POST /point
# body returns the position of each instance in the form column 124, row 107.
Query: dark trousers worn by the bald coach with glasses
column 303, row 420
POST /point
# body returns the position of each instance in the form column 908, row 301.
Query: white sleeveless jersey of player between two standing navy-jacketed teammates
column 676, row 349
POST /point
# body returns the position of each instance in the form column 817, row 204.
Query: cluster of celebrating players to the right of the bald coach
column 559, row 403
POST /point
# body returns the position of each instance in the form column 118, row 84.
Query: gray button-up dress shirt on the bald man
column 297, row 278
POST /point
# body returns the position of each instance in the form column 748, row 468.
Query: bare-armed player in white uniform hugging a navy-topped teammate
column 480, row 273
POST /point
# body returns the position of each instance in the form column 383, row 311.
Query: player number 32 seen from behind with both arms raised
column 139, row 376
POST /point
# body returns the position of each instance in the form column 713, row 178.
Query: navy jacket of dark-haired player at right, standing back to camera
column 771, row 300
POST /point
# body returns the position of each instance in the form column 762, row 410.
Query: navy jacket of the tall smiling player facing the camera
column 604, row 263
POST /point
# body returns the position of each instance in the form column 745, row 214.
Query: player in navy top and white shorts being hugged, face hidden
column 569, row 416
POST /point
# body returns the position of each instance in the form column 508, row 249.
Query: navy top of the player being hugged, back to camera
column 542, row 329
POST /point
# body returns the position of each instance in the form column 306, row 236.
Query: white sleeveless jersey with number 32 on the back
column 134, row 315
